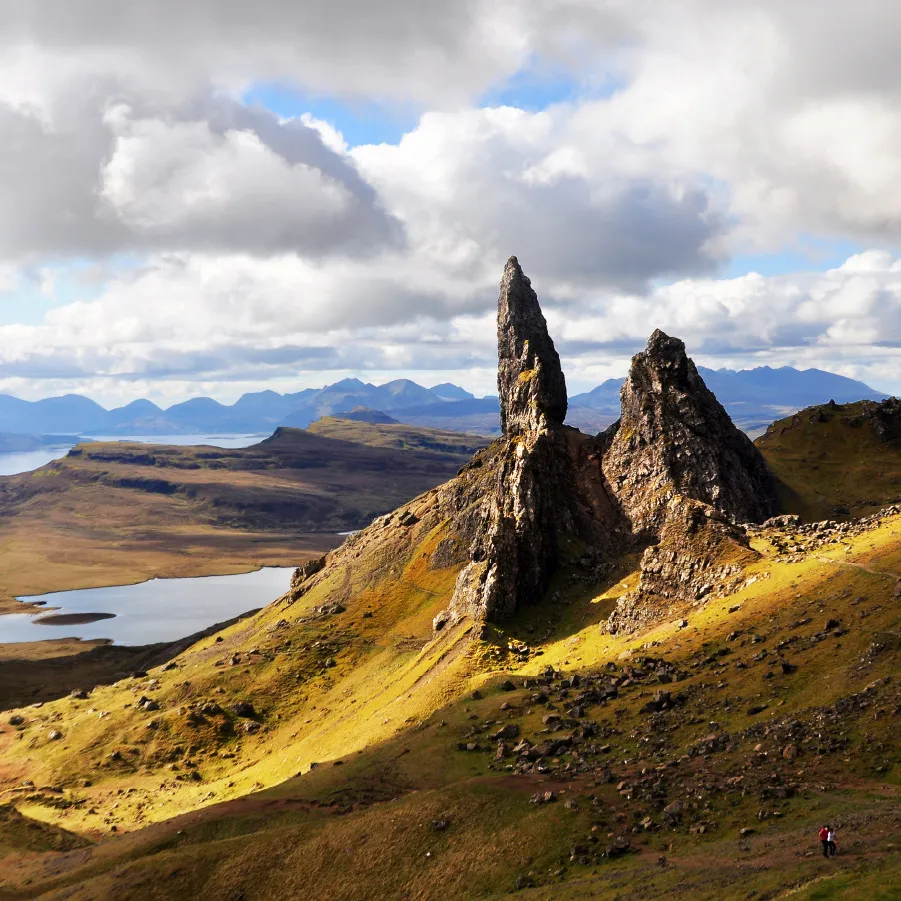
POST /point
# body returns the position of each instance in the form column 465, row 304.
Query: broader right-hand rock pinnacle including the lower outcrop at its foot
column 685, row 478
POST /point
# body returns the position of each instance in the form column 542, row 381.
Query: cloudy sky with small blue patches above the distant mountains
column 215, row 197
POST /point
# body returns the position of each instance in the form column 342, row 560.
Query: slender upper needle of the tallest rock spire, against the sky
column 530, row 382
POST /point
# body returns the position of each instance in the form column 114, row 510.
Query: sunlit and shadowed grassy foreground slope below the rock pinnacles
column 693, row 761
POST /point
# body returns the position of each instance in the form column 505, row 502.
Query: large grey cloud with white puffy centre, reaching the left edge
column 105, row 178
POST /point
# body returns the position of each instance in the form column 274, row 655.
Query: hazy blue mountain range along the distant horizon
column 753, row 398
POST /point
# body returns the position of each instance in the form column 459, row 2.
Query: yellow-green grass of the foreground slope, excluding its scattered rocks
column 395, row 706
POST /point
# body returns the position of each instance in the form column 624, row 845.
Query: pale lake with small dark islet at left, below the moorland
column 150, row 612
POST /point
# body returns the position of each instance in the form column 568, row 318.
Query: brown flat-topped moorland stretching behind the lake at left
column 117, row 513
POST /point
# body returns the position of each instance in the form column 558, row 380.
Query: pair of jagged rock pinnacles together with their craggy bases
column 673, row 475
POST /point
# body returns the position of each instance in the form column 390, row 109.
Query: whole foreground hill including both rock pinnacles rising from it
column 585, row 666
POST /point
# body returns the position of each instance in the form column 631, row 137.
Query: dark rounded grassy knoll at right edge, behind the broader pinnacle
column 836, row 461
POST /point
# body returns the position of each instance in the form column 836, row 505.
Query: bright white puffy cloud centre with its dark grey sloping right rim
column 237, row 179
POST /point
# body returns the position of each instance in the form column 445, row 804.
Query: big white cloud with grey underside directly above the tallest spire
column 475, row 186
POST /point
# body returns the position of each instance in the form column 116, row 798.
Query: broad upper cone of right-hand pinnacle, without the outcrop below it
column 675, row 439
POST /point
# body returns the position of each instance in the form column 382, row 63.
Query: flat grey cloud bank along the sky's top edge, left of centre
column 399, row 48
